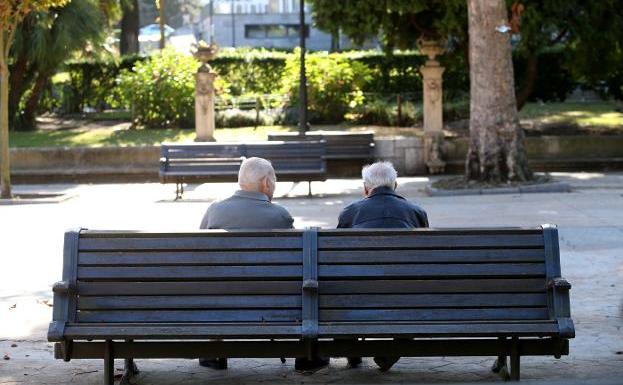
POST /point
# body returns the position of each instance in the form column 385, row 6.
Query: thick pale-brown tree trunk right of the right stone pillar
column 496, row 152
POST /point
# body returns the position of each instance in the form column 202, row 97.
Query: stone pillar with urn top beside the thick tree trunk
column 432, row 82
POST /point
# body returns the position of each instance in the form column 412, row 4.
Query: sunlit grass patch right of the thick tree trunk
column 582, row 114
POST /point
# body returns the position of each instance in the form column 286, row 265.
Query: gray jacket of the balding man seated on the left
column 246, row 210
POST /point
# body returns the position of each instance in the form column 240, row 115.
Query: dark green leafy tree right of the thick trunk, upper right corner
column 588, row 32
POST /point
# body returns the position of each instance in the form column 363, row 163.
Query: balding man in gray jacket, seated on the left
column 250, row 207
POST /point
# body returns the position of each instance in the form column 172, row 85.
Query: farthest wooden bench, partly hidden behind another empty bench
column 340, row 146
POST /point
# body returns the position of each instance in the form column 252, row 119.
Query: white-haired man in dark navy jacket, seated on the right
column 381, row 208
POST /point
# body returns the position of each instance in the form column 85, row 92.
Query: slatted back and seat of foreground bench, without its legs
column 363, row 282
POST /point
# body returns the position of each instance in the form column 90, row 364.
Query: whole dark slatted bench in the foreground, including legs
column 295, row 293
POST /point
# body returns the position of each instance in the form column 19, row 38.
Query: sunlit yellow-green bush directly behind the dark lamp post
column 334, row 85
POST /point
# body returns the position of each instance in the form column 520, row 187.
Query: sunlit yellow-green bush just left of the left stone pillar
column 161, row 90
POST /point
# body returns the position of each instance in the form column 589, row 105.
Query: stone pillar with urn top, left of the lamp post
column 204, row 94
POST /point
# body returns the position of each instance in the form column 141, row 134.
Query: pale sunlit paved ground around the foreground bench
column 591, row 236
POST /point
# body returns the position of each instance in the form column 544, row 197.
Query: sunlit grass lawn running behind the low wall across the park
column 602, row 116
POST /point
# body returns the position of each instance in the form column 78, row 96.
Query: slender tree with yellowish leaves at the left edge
column 12, row 13
